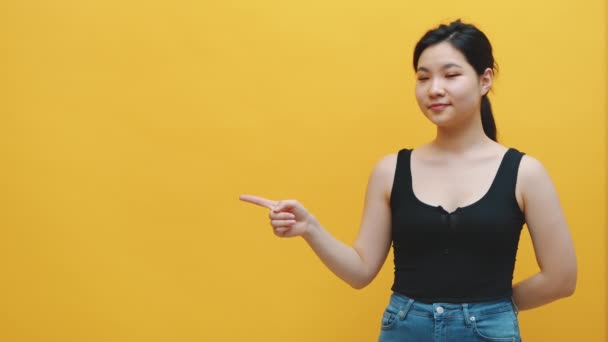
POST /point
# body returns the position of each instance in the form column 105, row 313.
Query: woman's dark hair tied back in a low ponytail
column 476, row 48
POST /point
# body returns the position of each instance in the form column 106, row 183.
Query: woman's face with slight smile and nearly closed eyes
column 448, row 89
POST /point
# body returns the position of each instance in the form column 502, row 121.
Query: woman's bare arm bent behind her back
column 551, row 238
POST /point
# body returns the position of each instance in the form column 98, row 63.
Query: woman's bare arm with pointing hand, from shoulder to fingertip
column 357, row 265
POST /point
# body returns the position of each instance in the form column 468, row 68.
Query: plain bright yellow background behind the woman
column 129, row 128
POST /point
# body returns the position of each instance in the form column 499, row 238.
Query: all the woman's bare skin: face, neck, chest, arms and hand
column 453, row 170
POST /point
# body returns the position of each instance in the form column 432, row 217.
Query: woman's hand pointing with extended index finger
column 288, row 218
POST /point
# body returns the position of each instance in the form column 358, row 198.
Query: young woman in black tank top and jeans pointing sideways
column 453, row 210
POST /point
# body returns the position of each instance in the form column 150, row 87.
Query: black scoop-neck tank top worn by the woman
column 464, row 256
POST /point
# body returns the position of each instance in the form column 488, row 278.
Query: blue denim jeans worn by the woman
column 408, row 320
